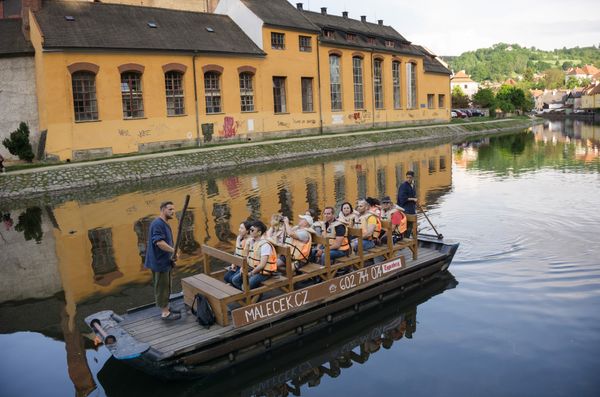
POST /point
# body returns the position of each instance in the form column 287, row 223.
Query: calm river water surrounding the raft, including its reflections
column 518, row 315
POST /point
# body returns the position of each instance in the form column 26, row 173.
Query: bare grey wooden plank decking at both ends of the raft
column 185, row 334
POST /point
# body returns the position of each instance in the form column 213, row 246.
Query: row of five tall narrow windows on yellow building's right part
column 335, row 79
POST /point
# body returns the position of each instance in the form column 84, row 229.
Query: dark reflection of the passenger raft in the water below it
column 294, row 369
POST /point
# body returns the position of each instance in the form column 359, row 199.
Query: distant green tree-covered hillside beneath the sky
column 502, row 61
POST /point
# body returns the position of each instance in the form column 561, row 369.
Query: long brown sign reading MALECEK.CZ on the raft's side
column 294, row 300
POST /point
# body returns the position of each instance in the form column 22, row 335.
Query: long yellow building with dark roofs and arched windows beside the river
column 114, row 79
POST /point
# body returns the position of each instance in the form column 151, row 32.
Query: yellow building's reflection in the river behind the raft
column 99, row 244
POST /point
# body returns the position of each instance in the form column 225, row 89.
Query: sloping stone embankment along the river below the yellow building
column 58, row 178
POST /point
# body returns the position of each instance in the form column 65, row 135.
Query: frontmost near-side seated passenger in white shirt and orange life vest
column 262, row 260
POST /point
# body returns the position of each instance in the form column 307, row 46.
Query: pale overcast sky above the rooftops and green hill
column 453, row 27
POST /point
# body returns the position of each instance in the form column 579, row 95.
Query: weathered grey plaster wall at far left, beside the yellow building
column 17, row 98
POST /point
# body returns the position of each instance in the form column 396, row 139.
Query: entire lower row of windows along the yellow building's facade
column 86, row 107
